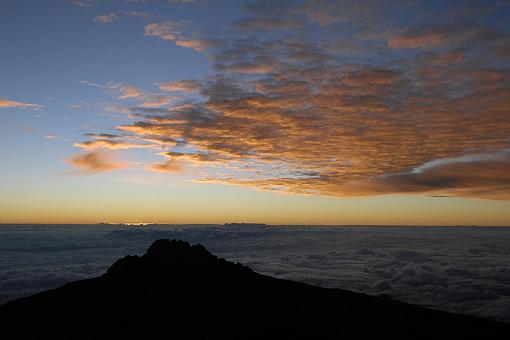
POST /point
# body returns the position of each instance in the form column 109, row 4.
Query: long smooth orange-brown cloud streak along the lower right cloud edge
column 480, row 175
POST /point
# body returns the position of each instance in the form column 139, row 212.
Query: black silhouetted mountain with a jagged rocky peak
column 178, row 291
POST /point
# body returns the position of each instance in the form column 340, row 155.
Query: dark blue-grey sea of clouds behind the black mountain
column 459, row 269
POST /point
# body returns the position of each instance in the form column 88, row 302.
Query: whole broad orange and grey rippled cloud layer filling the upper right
column 338, row 99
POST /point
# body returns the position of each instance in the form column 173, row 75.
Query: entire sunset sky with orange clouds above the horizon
column 282, row 112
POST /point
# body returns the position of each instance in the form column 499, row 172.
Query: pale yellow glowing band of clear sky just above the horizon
column 217, row 204
